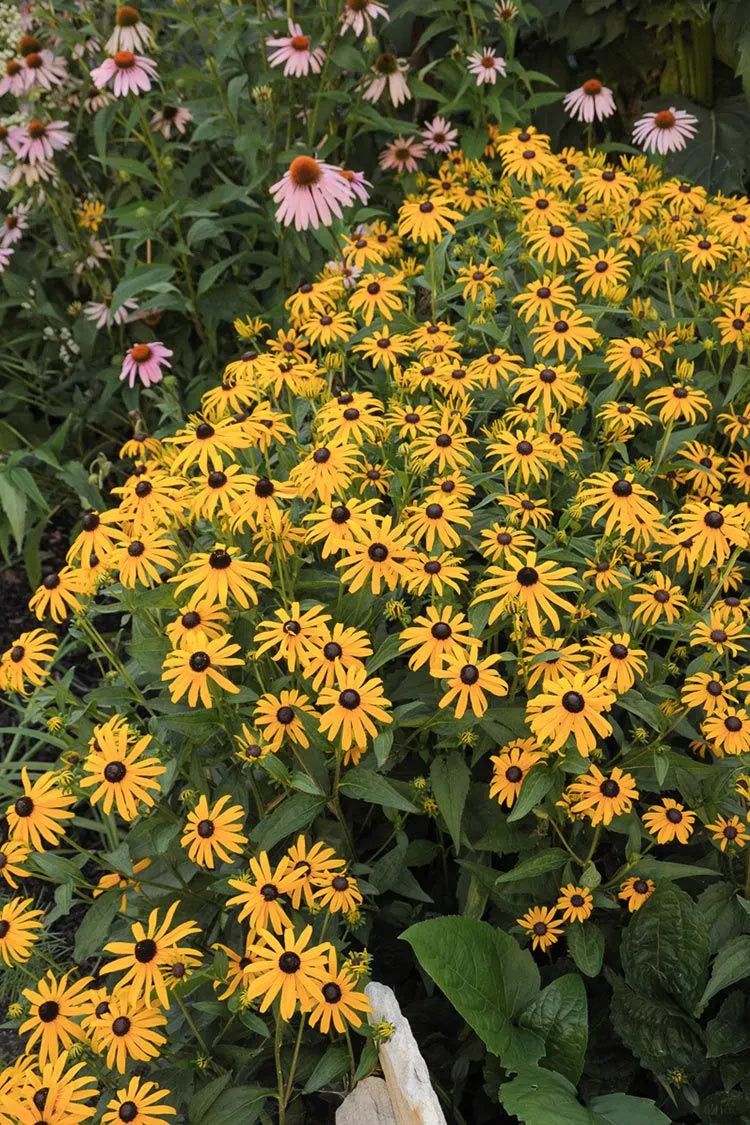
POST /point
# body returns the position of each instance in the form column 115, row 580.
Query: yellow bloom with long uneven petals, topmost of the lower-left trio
column 153, row 948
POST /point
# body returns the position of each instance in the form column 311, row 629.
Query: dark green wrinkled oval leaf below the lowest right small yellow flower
column 665, row 949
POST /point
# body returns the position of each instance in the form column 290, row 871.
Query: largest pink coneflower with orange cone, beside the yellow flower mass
column 311, row 193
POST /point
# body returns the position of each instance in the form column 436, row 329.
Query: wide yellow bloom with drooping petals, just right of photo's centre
column 534, row 587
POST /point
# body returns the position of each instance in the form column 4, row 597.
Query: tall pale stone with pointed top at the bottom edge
column 413, row 1100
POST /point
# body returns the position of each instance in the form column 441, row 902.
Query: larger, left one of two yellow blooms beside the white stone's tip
column 290, row 969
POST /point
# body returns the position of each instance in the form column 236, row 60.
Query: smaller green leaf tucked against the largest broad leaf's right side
column 561, row 1016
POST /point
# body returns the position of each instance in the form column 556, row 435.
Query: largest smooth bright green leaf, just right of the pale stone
column 489, row 979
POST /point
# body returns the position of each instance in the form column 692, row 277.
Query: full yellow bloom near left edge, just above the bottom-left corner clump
column 55, row 1009
